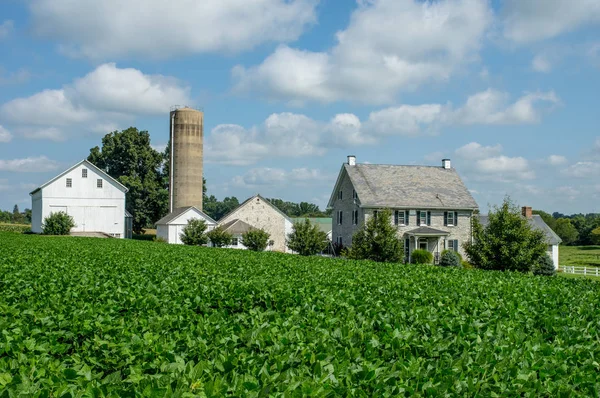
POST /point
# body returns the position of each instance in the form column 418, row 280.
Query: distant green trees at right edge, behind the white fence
column 576, row 229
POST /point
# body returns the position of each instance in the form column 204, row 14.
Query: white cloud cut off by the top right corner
column 535, row 20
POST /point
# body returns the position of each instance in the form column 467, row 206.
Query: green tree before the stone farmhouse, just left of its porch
column 377, row 240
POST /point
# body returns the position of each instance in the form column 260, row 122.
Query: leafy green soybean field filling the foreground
column 85, row 317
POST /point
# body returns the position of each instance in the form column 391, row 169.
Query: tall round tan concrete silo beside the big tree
column 187, row 137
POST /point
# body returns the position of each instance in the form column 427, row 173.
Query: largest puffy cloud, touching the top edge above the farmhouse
column 388, row 46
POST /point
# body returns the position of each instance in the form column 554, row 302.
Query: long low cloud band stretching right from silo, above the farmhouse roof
column 295, row 135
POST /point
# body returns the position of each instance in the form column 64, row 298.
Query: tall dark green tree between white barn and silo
column 128, row 157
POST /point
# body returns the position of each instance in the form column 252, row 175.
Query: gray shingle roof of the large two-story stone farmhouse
column 409, row 186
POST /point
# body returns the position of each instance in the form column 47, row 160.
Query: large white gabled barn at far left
column 95, row 200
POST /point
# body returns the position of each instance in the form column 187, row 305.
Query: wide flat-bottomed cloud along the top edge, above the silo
column 113, row 28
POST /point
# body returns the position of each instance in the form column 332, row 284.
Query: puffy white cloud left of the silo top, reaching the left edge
column 97, row 102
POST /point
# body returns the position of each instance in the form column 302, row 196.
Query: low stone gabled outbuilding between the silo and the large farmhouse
column 259, row 213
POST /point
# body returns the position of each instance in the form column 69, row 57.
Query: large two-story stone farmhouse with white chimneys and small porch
column 431, row 206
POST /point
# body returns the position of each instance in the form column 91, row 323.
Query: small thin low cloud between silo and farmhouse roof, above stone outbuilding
column 266, row 176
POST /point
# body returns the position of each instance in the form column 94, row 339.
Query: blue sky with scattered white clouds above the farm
column 507, row 89
